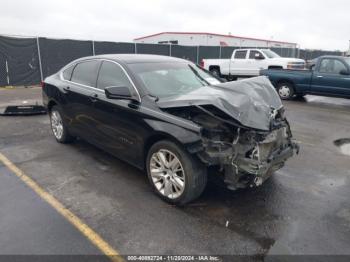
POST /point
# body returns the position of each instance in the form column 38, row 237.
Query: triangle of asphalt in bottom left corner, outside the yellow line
column 29, row 226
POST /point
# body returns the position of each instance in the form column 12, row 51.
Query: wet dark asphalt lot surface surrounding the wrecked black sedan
column 303, row 209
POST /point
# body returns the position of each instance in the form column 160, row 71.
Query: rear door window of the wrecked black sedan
column 85, row 73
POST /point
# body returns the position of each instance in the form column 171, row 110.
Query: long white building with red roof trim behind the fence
column 210, row 39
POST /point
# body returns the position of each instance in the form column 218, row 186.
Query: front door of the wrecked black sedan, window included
column 120, row 126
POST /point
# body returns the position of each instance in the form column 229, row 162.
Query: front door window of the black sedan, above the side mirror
column 112, row 74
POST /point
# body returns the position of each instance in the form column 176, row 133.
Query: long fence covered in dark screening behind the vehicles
column 26, row 61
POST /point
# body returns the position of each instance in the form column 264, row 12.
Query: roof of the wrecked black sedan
column 135, row 58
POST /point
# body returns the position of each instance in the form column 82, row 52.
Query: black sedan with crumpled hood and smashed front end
column 172, row 118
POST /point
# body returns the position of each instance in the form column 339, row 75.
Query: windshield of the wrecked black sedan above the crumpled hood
column 170, row 79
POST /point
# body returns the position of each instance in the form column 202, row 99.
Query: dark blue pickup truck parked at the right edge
column 330, row 76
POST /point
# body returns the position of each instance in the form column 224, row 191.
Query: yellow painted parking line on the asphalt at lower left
column 73, row 219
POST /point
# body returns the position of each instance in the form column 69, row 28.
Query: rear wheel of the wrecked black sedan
column 58, row 126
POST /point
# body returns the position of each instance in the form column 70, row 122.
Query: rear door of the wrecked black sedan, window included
column 81, row 95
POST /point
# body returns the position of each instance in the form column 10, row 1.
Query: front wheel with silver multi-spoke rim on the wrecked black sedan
column 180, row 187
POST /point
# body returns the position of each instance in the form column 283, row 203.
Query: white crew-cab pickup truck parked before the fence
column 249, row 62
